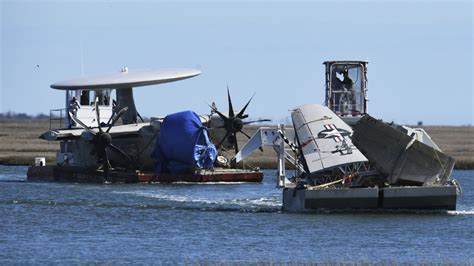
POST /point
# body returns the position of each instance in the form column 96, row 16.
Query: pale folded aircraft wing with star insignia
column 324, row 139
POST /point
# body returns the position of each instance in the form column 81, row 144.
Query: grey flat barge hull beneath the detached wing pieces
column 419, row 198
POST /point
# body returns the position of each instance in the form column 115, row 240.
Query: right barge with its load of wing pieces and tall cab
column 346, row 159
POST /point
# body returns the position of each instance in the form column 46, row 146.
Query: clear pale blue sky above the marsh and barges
column 419, row 52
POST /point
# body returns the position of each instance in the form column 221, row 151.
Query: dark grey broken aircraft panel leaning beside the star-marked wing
column 402, row 158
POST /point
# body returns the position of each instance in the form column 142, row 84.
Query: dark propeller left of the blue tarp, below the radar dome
column 102, row 139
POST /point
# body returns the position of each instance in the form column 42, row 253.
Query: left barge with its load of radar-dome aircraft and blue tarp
column 103, row 138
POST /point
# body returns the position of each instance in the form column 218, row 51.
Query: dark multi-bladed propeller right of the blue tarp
column 233, row 123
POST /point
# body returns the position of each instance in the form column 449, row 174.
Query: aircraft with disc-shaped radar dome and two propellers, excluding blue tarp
column 100, row 131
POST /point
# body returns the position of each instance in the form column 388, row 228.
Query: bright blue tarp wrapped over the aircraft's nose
column 183, row 145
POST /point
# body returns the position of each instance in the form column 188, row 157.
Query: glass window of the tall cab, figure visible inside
column 347, row 97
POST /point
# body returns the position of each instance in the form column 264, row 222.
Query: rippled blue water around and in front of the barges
column 212, row 223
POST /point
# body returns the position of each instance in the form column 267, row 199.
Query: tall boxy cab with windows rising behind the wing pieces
column 346, row 89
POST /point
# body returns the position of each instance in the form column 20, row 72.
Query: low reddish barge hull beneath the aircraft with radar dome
column 78, row 175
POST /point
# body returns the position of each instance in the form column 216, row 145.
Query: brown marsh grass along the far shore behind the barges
column 19, row 144
